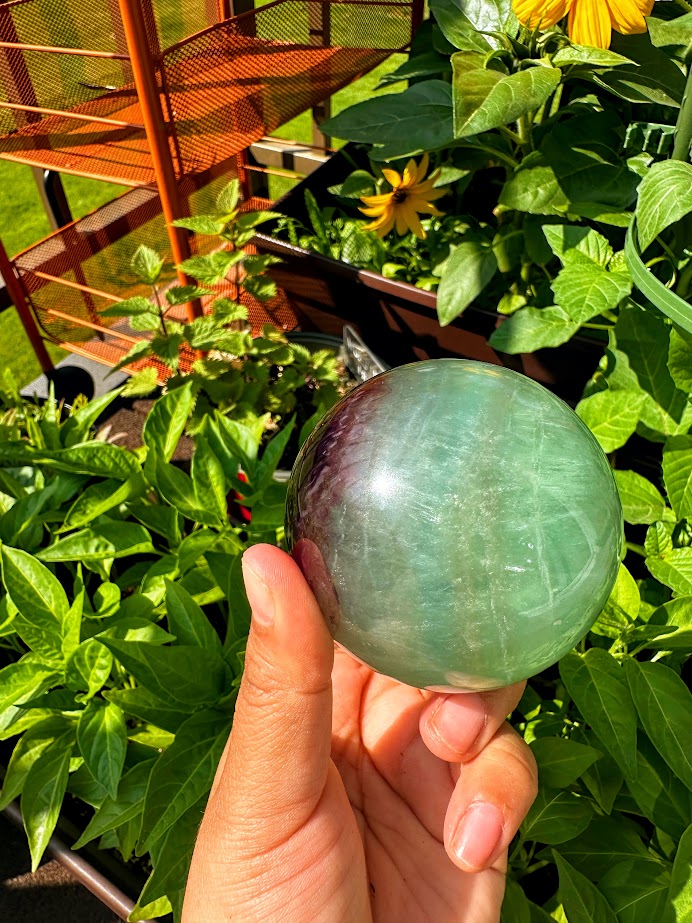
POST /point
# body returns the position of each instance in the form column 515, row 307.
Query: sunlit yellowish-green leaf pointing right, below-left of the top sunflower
column 487, row 99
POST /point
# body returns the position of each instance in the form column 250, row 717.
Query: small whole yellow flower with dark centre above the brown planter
column 411, row 195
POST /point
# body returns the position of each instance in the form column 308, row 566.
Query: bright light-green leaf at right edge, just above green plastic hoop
column 665, row 197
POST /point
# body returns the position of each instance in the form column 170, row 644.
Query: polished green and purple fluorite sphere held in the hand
column 458, row 523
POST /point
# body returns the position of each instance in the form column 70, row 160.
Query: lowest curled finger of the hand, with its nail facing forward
column 492, row 796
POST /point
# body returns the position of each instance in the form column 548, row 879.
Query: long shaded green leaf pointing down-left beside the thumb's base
column 183, row 773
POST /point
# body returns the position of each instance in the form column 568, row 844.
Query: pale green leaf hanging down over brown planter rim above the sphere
column 469, row 269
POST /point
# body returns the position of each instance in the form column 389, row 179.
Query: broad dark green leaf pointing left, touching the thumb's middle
column 187, row 675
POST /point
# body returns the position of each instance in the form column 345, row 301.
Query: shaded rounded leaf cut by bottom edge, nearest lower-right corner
column 637, row 890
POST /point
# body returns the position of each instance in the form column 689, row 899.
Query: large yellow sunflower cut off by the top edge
column 590, row 21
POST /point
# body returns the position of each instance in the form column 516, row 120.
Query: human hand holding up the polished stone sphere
column 344, row 796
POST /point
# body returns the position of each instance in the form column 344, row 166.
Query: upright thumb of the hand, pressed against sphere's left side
column 280, row 744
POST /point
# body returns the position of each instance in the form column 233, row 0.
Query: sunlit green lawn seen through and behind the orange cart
column 23, row 220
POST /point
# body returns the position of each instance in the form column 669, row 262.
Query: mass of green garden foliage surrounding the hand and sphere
column 122, row 612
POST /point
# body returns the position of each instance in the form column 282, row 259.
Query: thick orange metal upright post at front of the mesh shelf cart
column 147, row 90
